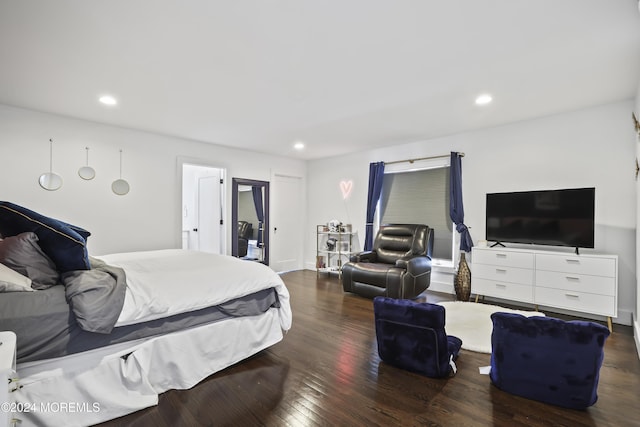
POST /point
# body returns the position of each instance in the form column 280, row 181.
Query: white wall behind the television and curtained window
column 591, row 147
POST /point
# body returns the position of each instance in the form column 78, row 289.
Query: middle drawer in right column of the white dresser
column 576, row 282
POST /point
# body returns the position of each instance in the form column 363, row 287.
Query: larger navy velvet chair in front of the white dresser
column 547, row 359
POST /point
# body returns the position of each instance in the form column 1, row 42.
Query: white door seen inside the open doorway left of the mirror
column 209, row 214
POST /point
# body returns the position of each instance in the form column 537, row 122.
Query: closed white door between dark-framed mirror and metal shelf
column 287, row 213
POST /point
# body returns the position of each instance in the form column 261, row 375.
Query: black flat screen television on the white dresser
column 552, row 217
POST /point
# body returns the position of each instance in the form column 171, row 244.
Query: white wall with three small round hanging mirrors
column 149, row 217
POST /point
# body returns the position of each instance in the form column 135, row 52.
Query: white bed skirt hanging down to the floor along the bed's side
column 82, row 390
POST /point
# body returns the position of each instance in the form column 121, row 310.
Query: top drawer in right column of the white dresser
column 577, row 264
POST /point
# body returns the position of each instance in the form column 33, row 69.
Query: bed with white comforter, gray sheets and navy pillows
column 106, row 339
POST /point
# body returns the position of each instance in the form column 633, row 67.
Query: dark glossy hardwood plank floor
column 326, row 372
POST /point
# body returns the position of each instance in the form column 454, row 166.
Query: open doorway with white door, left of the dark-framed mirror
column 203, row 208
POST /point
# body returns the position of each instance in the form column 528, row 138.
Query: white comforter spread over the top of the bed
column 173, row 281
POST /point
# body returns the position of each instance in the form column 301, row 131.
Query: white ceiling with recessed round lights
column 340, row 75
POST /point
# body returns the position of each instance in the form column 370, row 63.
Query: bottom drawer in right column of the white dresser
column 579, row 301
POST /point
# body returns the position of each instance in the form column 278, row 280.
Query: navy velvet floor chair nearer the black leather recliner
column 412, row 336
